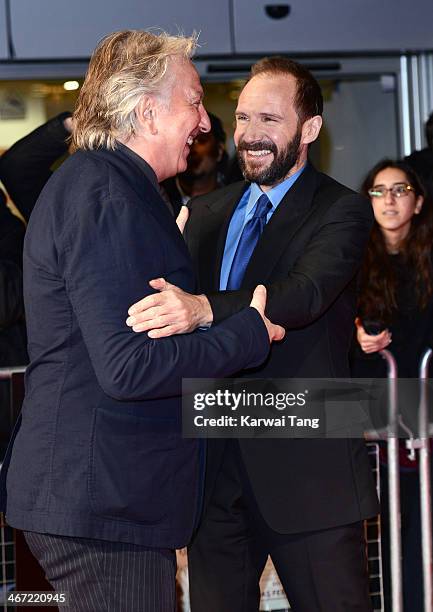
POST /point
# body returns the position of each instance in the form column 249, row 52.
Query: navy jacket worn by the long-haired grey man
column 99, row 453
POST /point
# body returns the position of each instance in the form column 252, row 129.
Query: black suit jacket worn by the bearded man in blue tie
column 307, row 257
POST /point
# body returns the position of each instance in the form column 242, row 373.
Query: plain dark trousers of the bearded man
column 321, row 571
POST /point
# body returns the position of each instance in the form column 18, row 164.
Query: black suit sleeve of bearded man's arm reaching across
column 329, row 262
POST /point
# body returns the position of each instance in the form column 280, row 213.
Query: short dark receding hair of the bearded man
column 308, row 98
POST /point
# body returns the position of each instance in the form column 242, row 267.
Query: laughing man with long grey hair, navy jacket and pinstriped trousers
column 99, row 477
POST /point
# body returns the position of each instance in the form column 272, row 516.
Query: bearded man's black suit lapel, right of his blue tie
column 292, row 212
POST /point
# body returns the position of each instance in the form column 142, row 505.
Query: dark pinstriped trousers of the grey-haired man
column 102, row 576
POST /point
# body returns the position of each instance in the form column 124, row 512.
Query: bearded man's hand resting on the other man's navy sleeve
column 171, row 311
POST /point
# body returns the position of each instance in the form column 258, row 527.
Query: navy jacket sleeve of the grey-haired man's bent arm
column 111, row 253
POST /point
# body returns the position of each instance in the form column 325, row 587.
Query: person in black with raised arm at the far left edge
column 24, row 169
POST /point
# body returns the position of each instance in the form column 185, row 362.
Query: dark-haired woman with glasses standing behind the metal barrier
column 395, row 311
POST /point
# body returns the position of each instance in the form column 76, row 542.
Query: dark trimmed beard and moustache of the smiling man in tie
column 278, row 169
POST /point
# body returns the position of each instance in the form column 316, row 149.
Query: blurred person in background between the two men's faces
column 206, row 168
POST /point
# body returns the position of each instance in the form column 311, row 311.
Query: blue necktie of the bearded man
column 247, row 242
